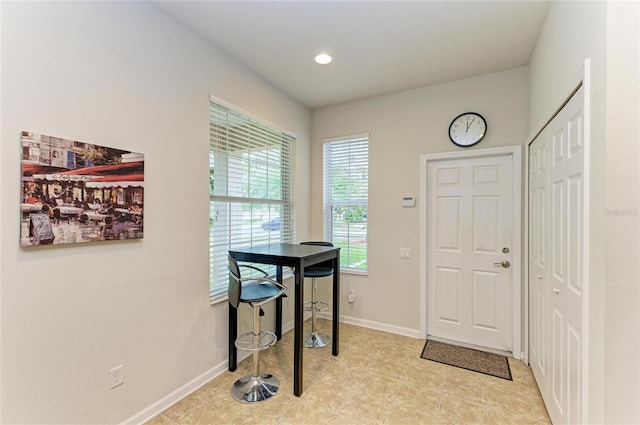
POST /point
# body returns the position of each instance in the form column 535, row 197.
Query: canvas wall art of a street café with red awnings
column 75, row 192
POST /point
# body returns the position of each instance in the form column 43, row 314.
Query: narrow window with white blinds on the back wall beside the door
column 346, row 192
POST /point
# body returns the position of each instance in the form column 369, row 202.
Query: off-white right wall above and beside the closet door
column 607, row 33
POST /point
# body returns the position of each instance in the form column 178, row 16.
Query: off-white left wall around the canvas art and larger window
column 119, row 74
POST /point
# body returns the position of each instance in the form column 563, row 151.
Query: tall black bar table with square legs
column 298, row 257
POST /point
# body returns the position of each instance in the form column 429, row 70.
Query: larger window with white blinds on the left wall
column 251, row 189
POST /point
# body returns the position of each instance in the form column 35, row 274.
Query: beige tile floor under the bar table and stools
column 378, row 378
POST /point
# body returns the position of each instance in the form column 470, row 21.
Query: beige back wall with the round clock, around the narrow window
column 402, row 127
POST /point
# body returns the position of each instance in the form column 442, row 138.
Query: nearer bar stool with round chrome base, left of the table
column 258, row 291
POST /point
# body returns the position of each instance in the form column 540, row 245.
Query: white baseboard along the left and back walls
column 175, row 396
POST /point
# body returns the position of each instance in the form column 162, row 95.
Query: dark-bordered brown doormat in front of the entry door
column 467, row 358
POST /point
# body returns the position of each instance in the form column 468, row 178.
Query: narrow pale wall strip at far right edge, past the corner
column 622, row 317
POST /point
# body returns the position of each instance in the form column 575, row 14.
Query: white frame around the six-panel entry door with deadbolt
column 517, row 302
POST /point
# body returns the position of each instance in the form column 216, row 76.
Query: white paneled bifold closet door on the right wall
column 556, row 212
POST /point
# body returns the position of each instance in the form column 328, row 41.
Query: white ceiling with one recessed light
column 379, row 47
